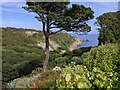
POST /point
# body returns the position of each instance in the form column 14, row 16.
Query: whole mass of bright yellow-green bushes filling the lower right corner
column 101, row 69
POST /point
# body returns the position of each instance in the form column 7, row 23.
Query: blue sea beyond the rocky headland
column 91, row 37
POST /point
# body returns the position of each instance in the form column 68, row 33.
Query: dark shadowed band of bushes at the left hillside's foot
column 21, row 69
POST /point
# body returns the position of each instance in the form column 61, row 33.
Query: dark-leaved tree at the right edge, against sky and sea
column 109, row 31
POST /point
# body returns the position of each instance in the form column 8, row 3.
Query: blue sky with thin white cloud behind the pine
column 13, row 15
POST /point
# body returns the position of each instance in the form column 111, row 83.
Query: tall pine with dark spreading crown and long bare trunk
column 58, row 15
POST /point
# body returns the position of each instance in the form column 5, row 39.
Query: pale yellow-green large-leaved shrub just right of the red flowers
column 74, row 77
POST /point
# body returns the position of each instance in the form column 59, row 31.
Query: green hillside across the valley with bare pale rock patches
column 24, row 49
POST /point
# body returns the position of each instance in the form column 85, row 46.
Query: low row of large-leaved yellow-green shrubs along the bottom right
column 80, row 77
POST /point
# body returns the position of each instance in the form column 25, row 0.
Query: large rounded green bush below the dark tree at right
column 106, row 57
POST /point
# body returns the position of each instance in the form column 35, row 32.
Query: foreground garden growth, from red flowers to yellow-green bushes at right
column 83, row 74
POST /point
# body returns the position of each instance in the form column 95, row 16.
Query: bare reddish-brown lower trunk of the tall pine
column 46, row 53
